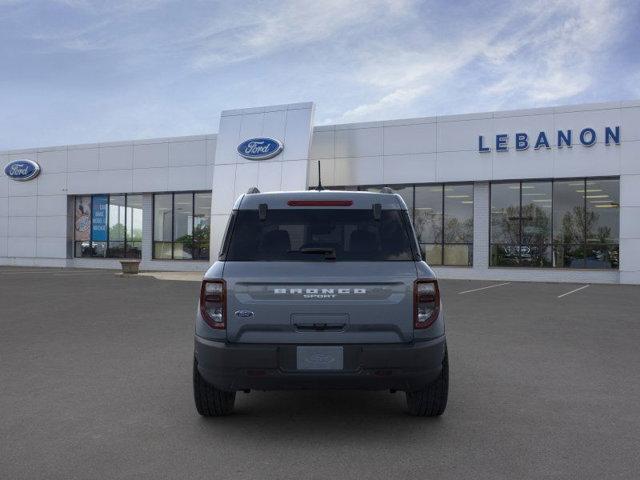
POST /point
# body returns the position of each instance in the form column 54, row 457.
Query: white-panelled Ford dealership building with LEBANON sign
column 547, row 194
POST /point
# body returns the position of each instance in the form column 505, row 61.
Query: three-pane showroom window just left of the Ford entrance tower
column 181, row 223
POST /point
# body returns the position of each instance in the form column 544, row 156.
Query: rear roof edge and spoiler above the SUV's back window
column 388, row 201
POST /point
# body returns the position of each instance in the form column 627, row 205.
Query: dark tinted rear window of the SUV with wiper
column 319, row 234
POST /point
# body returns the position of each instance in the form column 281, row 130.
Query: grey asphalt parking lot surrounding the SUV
column 95, row 382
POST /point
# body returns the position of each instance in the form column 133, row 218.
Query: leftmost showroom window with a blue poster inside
column 108, row 226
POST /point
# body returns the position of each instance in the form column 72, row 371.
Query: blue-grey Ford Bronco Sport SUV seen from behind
column 315, row 290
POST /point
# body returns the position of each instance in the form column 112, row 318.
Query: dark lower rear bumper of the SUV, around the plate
column 273, row 367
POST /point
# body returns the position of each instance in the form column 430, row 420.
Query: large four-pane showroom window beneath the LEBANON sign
column 563, row 224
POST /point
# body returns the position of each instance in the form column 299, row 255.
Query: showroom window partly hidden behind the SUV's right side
column 442, row 216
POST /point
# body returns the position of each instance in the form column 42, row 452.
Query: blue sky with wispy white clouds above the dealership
column 80, row 71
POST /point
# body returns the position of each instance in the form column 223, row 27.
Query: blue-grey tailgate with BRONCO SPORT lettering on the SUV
column 322, row 302
